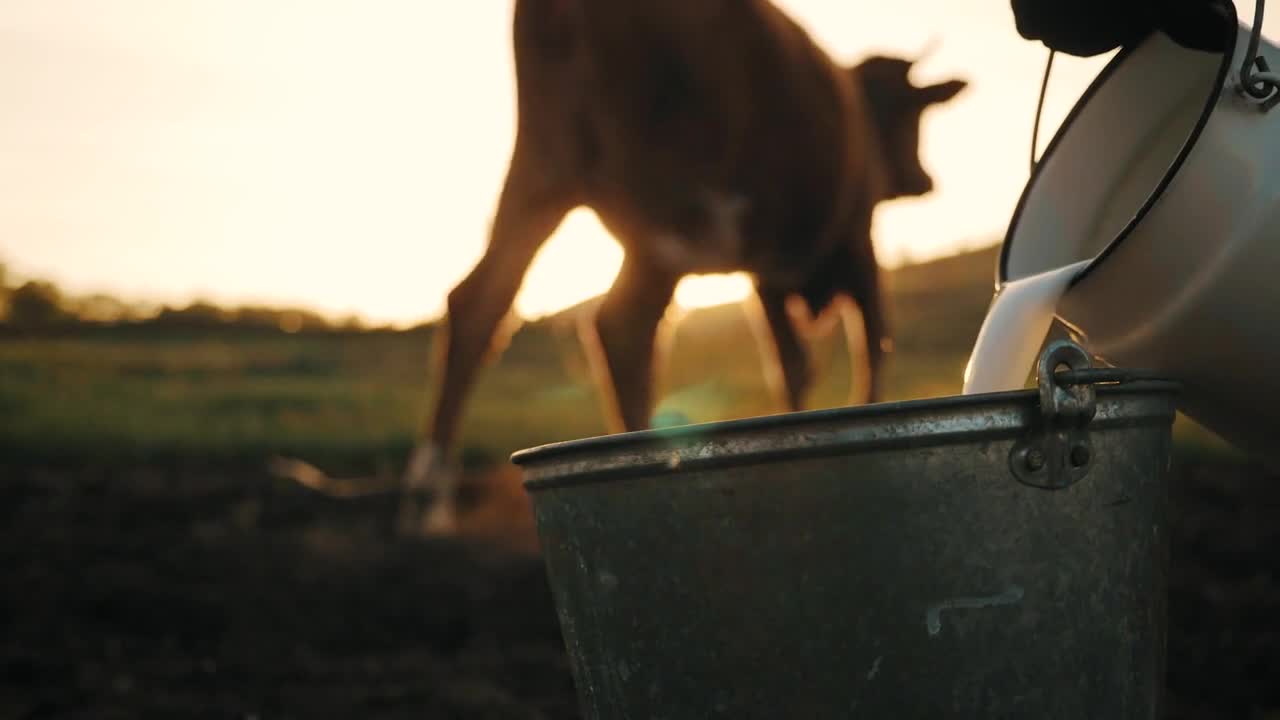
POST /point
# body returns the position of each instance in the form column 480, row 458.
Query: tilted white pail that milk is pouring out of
column 1165, row 179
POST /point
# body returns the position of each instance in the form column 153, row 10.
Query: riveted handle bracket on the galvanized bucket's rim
column 1058, row 453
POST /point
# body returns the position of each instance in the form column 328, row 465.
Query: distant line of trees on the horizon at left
column 38, row 304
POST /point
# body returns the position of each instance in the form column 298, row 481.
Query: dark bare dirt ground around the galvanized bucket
column 195, row 593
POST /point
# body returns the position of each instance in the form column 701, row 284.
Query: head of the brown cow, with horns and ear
column 895, row 107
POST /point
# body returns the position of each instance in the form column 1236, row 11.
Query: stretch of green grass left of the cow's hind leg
column 138, row 397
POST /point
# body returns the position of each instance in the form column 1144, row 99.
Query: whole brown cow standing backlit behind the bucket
column 708, row 136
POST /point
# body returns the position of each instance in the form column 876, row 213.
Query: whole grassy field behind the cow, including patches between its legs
column 356, row 399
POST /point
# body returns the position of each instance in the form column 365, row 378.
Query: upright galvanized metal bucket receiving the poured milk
column 977, row 557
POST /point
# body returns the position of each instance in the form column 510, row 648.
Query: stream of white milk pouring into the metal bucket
column 1016, row 329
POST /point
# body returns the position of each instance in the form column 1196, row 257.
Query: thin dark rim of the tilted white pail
column 1215, row 94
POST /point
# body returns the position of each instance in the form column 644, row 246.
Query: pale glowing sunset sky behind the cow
column 346, row 156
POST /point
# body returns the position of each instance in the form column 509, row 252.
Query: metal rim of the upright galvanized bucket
column 1009, row 414
